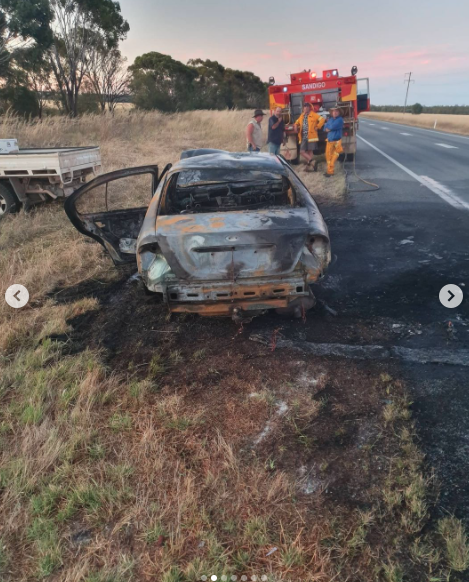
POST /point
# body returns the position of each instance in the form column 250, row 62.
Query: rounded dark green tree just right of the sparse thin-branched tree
column 161, row 82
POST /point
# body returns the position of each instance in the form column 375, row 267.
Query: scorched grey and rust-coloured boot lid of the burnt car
column 234, row 244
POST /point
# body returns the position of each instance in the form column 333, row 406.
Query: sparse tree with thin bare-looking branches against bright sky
column 109, row 77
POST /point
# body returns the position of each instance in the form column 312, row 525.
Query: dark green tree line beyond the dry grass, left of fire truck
column 67, row 51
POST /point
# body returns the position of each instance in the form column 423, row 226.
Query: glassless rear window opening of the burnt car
column 242, row 191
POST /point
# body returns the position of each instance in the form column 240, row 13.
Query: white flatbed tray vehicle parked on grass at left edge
column 32, row 176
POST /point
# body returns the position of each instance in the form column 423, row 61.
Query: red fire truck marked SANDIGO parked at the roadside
column 350, row 94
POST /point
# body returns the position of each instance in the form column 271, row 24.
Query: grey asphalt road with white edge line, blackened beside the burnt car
column 395, row 249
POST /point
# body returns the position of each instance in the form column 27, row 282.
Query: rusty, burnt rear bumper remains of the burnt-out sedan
column 229, row 298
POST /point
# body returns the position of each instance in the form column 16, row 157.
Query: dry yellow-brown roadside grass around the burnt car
column 126, row 475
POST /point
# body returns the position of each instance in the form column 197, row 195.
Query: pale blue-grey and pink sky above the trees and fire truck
column 385, row 40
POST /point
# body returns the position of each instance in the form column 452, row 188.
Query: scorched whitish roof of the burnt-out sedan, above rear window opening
column 232, row 161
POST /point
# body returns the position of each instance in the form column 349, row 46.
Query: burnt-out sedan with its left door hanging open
column 225, row 234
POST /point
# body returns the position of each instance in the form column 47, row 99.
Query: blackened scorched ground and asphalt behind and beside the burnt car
column 394, row 250
